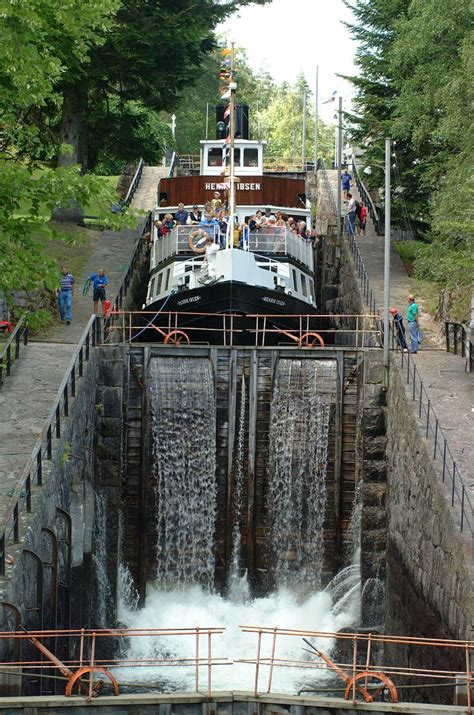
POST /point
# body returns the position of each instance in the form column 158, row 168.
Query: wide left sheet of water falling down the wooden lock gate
column 184, row 469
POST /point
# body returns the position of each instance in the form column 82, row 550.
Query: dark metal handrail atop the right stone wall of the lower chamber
column 441, row 451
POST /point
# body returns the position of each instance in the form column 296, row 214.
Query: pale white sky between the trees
column 286, row 37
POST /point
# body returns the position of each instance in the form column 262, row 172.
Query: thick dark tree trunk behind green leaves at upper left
column 73, row 131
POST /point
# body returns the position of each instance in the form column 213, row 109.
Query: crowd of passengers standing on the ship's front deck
column 216, row 213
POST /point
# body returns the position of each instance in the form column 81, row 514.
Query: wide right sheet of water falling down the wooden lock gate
column 299, row 427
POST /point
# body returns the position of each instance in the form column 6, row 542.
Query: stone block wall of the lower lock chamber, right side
column 429, row 584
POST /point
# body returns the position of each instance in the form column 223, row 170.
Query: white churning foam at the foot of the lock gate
column 193, row 606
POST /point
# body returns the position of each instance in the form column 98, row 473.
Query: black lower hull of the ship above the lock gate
column 217, row 327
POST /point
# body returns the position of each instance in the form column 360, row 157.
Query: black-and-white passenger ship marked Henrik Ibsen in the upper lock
column 215, row 298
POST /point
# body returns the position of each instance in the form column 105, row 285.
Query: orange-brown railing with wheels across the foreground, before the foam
column 110, row 655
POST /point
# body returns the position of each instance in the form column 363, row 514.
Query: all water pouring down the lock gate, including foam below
column 184, row 453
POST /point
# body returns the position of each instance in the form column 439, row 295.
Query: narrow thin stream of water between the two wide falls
column 237, row 583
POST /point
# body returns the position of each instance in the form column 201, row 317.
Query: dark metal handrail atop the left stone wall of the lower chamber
column 43, row 449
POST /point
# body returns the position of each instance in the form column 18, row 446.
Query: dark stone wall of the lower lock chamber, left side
column 48, row 582
